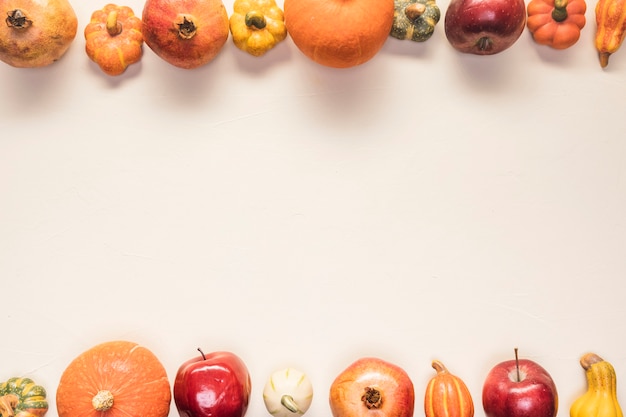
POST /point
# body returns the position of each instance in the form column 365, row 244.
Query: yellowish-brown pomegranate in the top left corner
column 36, row 33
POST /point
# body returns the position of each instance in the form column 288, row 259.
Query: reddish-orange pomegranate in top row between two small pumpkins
column 185, row 33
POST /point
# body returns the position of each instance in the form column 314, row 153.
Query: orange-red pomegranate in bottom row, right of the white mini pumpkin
column 372, row 387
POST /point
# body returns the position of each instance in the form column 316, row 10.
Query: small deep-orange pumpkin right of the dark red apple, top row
column 556, row 23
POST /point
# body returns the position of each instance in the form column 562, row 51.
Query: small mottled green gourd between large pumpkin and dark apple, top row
column 415, row 19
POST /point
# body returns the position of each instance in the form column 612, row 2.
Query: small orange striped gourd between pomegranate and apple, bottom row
column 447, row 395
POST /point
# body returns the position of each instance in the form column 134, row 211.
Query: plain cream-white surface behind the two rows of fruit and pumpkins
column 427, row 204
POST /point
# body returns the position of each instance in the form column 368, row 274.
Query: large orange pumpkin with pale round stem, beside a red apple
column 114, row 379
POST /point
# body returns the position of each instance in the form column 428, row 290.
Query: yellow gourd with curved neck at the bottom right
column 600, row 400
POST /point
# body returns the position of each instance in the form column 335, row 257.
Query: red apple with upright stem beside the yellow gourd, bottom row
column 534, row 396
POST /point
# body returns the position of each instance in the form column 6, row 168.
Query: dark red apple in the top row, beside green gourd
column 484, row 27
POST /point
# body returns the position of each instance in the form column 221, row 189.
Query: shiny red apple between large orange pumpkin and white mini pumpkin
column 217, row 384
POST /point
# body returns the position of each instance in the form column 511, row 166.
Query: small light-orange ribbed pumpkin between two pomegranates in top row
column 114, row 39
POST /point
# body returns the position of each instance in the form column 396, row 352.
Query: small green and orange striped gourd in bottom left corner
column 21, row 397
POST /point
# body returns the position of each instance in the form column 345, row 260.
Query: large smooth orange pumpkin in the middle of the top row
column 339, row 33
